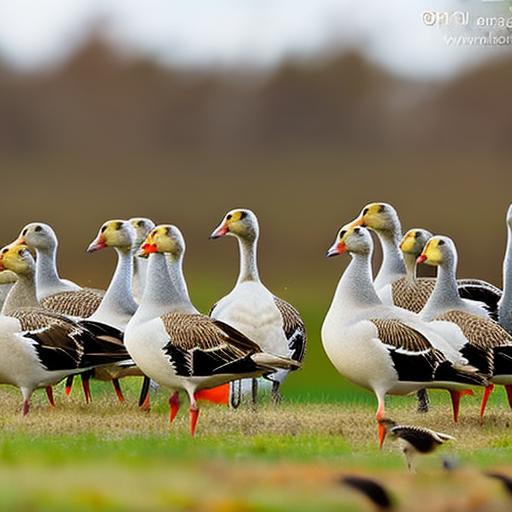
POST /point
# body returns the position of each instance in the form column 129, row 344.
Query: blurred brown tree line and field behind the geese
column 305, row 146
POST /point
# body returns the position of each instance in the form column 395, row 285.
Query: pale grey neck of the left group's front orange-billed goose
column 162, row 294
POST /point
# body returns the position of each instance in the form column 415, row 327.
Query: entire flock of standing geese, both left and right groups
column 395, row 334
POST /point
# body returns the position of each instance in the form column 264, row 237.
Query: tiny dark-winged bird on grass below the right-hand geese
column 414, row 440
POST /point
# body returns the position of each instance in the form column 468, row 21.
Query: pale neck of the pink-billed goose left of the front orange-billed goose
column 118, row 299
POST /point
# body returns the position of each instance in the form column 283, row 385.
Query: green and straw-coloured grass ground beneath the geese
column 112, row 457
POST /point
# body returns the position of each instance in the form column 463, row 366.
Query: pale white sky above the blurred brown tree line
column 394, row 33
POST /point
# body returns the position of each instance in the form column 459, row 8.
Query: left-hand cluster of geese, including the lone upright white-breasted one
column 144, row 324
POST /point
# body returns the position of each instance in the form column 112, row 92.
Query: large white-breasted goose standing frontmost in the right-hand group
column 377, row 346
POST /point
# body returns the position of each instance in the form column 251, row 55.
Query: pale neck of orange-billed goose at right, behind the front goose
column 445, row 296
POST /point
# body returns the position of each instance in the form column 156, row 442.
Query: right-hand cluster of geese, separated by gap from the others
column 400, row 334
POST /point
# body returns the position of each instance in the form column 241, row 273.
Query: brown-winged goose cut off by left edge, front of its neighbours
column 40, row 348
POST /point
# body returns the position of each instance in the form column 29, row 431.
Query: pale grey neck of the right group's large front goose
column 355, row 289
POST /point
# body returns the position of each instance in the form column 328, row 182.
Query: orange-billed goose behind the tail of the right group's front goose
column 489, row 345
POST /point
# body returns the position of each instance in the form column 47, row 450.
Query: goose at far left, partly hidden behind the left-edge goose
column 56, row 294
